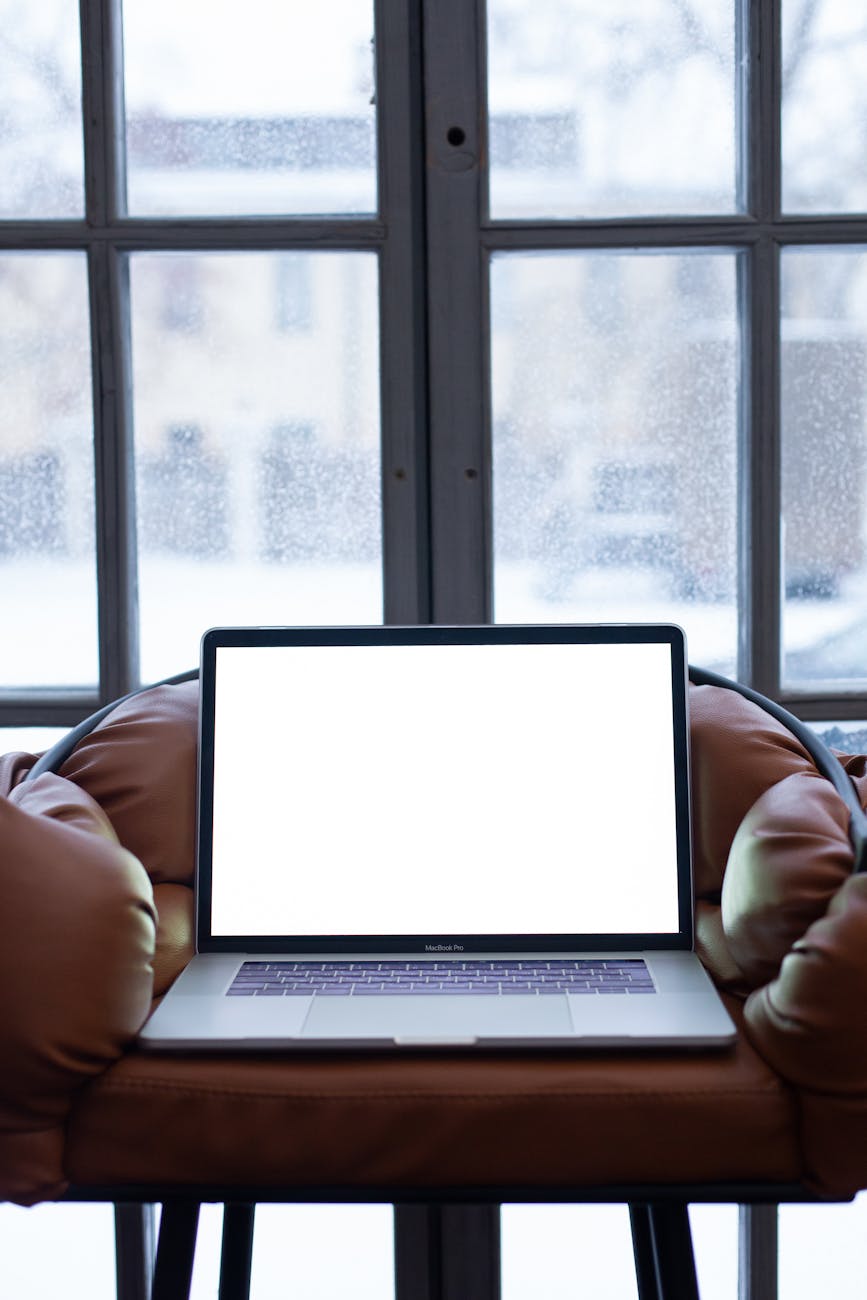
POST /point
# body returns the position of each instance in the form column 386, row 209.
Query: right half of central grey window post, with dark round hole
column 457, row 320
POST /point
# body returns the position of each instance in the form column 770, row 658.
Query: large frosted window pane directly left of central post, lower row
column 258, row 444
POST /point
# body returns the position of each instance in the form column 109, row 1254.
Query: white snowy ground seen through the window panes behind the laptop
column 50, row 612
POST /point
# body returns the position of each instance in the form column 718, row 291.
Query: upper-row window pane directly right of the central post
column 612, row 110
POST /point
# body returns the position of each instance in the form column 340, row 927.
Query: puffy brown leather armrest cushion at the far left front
column 77, row 939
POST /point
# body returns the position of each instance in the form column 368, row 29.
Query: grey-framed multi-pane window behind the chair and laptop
column 432, row 311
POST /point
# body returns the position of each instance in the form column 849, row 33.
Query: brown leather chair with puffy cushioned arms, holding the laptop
column 97, row 922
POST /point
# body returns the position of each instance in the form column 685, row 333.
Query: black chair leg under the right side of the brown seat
column 662, row 1234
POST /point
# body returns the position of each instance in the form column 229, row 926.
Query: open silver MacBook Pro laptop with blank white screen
column 443, row 838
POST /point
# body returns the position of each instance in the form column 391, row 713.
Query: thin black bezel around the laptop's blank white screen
column 452, row 944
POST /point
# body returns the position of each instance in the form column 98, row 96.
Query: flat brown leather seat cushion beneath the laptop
column 391, row 1123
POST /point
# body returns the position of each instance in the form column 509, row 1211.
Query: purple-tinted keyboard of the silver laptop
column 369, row 980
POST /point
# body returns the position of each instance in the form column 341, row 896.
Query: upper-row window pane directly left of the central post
column 265, row 116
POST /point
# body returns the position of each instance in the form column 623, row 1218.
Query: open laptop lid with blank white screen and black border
column 433, row 790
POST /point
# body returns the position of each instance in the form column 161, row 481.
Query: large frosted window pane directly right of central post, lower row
column 615, row 436
